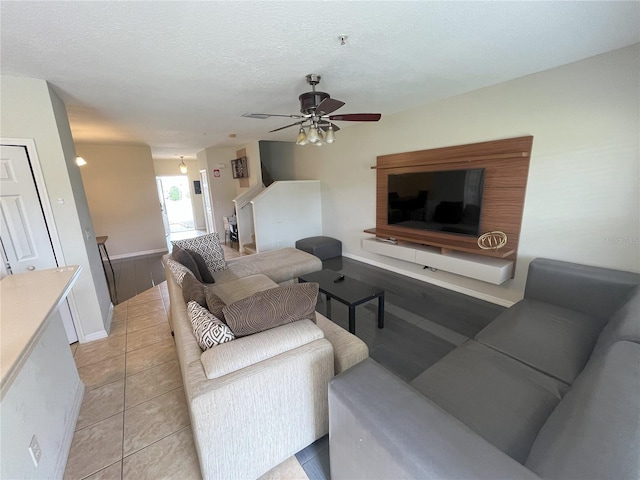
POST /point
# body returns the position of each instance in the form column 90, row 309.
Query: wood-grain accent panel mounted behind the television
column 506, row 164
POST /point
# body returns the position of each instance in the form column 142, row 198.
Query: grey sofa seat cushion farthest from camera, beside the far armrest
column 547, row 337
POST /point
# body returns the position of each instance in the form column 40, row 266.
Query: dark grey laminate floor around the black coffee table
column 423, row 323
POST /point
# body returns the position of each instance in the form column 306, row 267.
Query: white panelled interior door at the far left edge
column 24, row 234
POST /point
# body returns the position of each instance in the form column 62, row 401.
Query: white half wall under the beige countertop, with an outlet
column 44, row 400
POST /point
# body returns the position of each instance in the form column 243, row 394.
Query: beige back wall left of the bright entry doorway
column 123, row 200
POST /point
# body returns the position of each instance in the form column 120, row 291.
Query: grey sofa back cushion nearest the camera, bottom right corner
column 594, row 432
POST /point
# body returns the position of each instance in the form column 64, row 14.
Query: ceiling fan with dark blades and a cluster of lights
column 316, row 108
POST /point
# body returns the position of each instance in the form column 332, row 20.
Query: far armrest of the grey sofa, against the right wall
column 591, row 290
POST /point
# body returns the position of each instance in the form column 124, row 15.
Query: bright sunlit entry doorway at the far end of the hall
column 175, row 198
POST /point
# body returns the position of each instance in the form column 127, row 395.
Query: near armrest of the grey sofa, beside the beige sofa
column 380, row 427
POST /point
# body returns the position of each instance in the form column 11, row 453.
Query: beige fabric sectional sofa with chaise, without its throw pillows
column 257, row 400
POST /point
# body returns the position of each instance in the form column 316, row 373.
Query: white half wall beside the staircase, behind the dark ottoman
column 286, row 212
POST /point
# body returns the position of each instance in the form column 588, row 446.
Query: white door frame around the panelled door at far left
column 34, row 160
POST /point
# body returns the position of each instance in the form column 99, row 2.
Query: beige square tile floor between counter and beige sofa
column 134, row 421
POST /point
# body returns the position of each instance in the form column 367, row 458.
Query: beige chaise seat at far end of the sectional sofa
column 279, row 265
